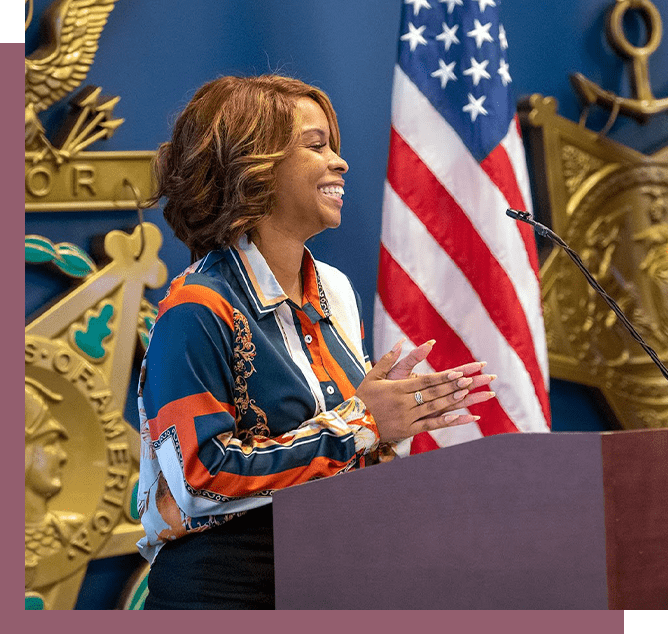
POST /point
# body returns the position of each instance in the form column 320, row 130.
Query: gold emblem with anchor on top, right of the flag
column 610, row 204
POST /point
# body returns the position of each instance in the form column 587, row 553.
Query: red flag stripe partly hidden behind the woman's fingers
column 403, row 300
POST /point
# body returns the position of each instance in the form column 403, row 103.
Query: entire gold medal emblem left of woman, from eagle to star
column 82, row 456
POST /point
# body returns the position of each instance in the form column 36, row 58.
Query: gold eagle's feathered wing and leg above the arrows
column 71, row 30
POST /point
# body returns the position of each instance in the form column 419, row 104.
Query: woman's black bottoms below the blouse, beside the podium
column 230, row 567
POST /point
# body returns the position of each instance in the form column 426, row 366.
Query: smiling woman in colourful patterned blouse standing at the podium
column 256, row 376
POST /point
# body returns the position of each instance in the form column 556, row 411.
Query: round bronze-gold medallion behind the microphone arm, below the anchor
column 619, row 225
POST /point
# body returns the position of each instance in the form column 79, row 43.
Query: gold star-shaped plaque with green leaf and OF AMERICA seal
column 82, row 456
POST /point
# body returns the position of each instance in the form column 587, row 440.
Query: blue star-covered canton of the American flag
column 455, row 52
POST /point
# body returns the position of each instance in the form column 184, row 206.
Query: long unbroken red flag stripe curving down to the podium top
column 455, row 233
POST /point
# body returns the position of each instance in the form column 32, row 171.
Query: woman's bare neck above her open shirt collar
column 283, row 253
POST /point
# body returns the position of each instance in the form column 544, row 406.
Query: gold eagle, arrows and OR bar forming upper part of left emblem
column 59, row 174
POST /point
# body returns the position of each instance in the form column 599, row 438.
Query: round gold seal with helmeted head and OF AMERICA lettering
column 78, row 462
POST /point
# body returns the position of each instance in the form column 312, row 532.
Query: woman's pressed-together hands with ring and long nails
column 404, row 404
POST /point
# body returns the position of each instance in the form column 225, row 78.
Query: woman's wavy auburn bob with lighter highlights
column 218, row 171
